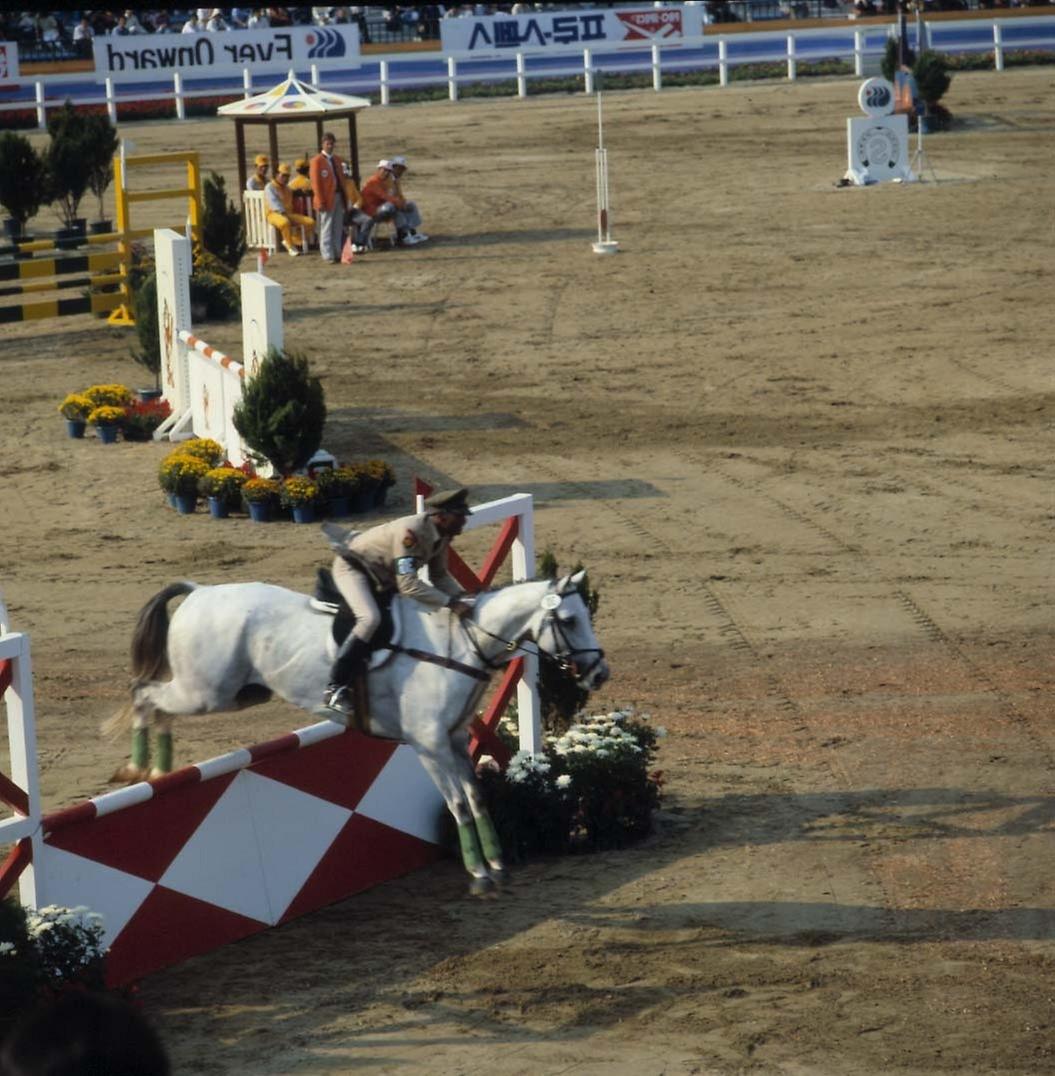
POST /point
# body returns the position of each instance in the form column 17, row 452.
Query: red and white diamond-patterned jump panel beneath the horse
column 227, row 848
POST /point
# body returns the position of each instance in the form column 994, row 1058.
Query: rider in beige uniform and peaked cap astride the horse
column 390, row 556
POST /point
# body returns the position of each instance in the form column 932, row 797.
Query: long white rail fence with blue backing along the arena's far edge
column 722, row 52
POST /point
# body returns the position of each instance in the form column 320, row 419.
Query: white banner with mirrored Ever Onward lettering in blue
column 142, row 58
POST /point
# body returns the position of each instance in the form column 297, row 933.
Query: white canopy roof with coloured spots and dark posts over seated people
column 293, row 102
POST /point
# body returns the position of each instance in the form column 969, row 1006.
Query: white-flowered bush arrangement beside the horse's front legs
column 593, row 788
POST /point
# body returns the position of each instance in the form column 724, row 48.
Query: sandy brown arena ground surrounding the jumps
column 803, row 438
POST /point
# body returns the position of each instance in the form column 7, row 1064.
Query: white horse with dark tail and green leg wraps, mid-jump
column 232, row 646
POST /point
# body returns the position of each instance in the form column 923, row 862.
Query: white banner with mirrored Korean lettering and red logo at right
column 489, row 36
